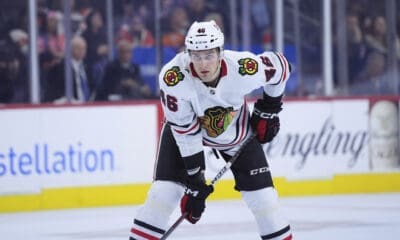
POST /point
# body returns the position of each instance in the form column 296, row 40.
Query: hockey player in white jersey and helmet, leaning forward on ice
column 203, row 93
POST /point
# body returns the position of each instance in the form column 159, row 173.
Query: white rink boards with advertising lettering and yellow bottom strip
column 55, row 157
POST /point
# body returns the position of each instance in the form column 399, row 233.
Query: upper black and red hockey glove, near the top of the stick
column 265, row 119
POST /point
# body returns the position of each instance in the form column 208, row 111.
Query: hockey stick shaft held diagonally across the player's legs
column 215, row 179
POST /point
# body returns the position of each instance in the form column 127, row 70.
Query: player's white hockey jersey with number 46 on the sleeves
column 217, row 117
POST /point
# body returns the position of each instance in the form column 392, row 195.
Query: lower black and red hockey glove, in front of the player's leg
column 193, row 202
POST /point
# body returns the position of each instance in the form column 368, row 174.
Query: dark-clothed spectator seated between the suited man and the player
column 121, row 79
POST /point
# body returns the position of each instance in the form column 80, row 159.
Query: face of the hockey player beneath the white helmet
column 206, row 64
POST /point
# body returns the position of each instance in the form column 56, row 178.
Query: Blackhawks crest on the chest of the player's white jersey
column 216, row 120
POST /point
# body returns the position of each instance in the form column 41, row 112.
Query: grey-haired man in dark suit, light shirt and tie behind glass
column 81, row 79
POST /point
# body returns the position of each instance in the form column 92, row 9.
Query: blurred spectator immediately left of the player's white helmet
column 178, row 24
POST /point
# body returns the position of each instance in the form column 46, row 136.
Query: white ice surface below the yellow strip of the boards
column 355, row 217
